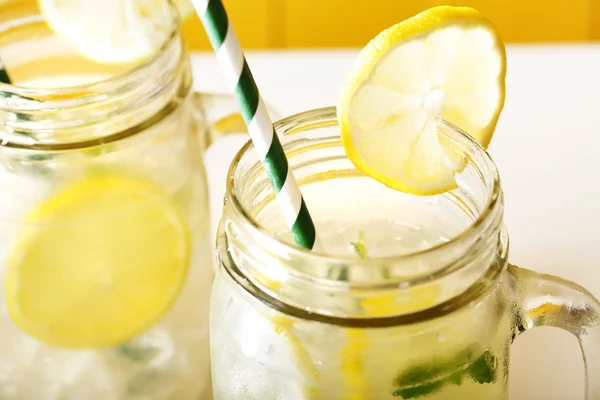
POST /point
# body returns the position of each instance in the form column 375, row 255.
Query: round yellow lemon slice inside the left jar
column 96, row 264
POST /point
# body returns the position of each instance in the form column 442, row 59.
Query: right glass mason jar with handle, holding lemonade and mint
column 413, row 298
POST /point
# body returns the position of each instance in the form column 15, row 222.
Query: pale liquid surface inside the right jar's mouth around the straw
column 390, row 222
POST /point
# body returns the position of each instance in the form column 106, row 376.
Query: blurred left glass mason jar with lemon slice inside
column 106, row 261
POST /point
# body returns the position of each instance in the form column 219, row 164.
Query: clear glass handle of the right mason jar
column 547, row 300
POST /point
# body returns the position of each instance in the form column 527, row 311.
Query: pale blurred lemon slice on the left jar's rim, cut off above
column 113, row 31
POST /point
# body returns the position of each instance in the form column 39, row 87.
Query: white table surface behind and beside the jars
column 546, row 146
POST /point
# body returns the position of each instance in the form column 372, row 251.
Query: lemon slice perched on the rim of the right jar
column 448, row 63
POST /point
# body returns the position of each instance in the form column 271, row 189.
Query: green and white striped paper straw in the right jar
column 260, row 127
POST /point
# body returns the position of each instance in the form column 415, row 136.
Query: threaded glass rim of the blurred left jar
column 91, row 112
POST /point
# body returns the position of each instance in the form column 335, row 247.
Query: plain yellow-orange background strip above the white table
column 352, row 23
